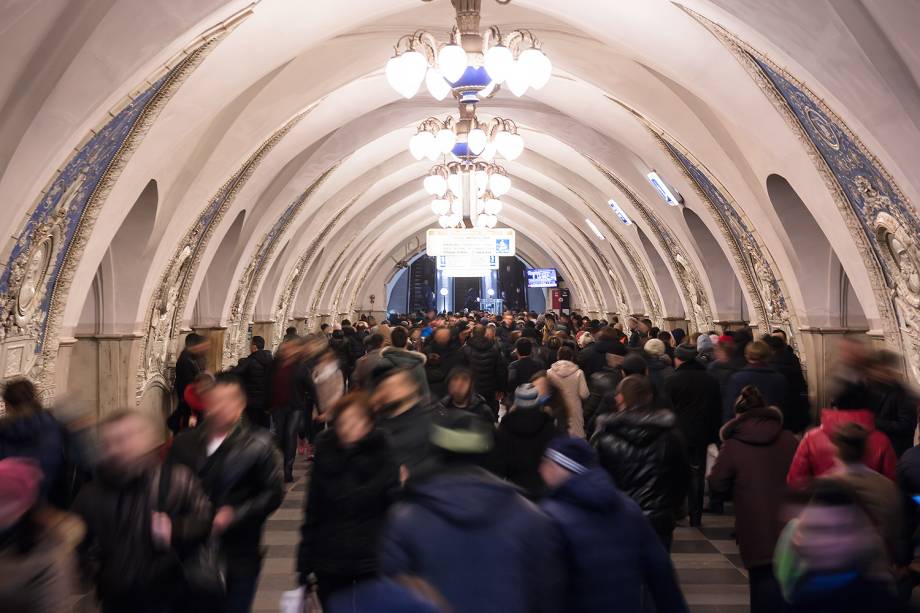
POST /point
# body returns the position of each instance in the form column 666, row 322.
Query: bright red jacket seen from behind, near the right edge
column 816, row 453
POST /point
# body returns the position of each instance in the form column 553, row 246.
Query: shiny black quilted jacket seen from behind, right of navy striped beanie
column 643, row 451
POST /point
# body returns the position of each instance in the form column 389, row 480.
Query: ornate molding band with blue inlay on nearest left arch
column 36, row 283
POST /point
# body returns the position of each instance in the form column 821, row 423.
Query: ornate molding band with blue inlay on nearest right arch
column 883, row 224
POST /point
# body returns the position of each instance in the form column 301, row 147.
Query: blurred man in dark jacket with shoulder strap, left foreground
column 136, row 528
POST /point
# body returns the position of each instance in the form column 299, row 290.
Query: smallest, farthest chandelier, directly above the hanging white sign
column 483, row 183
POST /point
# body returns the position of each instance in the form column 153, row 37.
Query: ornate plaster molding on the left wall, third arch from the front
column 244, row 298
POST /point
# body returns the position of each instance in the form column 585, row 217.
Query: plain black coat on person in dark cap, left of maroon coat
column 694, row 396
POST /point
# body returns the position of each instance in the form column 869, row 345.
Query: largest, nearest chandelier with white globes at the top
column 471, row 65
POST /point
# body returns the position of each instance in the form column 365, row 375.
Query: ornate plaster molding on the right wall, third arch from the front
column 696, row 302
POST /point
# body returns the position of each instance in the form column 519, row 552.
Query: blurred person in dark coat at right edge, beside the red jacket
column 892, row 402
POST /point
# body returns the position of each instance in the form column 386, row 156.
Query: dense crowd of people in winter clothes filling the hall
column 470, row 462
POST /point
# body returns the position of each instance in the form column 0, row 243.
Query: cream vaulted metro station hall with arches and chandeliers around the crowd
column 238, row 167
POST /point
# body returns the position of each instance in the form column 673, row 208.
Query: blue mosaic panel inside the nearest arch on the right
column 845, row 158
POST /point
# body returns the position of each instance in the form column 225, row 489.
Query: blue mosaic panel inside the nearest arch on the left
column 82, row 173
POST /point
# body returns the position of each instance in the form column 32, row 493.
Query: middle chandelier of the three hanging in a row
column 466, row 138
